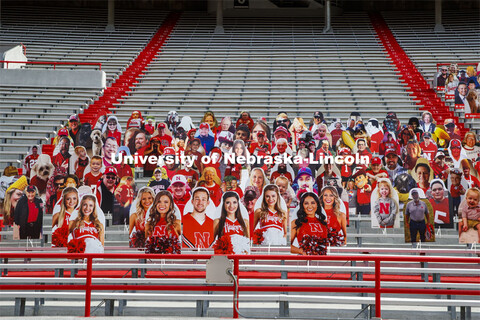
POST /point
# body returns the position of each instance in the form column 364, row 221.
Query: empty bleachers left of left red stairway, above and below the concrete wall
column 28, row 115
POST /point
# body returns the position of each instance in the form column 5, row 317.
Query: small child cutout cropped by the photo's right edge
column 470, row 216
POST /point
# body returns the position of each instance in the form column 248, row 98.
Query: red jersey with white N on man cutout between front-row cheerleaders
column 196, row 235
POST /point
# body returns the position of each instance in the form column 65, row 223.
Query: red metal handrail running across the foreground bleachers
column 377, row 290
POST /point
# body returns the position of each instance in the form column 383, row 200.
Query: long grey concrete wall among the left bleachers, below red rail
column 53, row 78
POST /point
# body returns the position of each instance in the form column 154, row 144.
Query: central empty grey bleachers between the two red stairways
column 270, row 65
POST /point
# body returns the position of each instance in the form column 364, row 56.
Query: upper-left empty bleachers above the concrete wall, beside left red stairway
column 79, row 35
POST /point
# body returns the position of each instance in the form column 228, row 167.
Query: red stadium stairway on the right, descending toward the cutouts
column 411, row 76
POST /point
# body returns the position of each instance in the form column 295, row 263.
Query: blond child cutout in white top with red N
column 385, row 205
